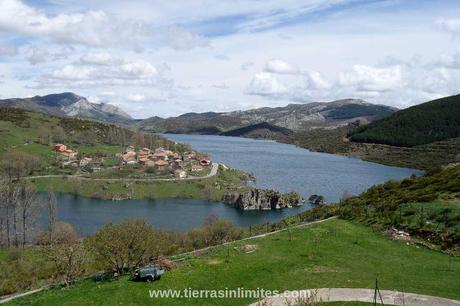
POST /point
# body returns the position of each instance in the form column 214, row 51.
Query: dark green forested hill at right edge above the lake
column 421, row 124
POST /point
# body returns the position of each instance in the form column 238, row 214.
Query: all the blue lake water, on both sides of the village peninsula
column 278, row 166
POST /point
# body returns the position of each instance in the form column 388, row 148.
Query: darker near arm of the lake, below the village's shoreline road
column 88, row 215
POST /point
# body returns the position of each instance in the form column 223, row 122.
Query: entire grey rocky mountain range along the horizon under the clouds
column 265, row 122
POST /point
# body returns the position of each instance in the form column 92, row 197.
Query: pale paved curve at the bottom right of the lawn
column 361, row 295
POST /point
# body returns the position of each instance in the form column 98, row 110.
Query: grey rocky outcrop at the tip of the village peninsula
column 263, row 199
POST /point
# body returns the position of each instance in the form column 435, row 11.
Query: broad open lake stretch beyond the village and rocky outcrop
column 289, row 168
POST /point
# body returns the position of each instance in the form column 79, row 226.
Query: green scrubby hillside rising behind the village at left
column 35, row 133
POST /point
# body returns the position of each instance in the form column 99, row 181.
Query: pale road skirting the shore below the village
column 213, row 172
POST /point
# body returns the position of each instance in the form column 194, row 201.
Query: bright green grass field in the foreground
column 334, row 253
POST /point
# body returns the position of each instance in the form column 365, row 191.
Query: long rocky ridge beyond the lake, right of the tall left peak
column 293, row 117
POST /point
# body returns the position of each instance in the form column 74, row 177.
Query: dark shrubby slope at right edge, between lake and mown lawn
column 427, row 206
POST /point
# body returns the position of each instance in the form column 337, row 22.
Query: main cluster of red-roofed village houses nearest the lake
column 165, row 160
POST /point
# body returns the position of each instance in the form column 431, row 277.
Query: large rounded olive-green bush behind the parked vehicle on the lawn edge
column 124, row 246
